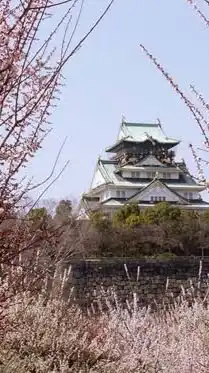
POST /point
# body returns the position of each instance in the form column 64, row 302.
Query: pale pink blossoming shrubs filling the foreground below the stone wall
column 42, row 336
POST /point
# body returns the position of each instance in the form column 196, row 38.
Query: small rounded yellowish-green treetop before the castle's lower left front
column 122, row 215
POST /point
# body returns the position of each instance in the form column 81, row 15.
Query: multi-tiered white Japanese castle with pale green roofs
column 143, row 170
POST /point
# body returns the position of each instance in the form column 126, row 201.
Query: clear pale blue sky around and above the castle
column 110, row 77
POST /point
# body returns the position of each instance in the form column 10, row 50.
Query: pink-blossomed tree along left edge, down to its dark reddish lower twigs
column 35, row 46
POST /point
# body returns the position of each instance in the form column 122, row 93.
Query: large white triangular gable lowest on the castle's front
column 159, row 190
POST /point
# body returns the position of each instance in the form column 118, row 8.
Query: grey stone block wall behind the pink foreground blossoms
column 153, row 281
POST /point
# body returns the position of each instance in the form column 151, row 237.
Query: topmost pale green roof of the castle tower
column 141, row 132
